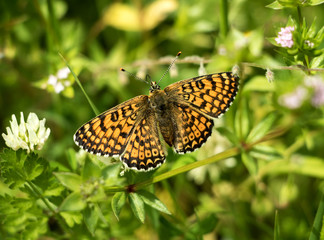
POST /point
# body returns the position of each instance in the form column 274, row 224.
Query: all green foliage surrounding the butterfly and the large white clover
column 260, row 175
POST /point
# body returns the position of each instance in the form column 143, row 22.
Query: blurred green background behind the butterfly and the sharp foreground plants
column 98, row 37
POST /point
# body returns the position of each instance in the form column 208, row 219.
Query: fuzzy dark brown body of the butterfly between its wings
column 159, row 103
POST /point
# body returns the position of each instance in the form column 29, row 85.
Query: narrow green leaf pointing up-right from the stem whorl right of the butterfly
column 262, row 128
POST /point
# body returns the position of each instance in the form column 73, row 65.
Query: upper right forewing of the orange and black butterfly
column 210, row 94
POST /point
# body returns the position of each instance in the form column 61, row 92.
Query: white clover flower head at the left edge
column 30, row 135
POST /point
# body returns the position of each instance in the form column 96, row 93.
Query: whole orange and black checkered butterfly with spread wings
column 182, row 114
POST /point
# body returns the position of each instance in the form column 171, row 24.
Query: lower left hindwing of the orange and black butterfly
column 144, row 150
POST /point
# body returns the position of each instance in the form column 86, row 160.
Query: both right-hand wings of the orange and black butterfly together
column 194, row 102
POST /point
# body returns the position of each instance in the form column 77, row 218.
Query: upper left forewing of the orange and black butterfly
column 108, row 133
